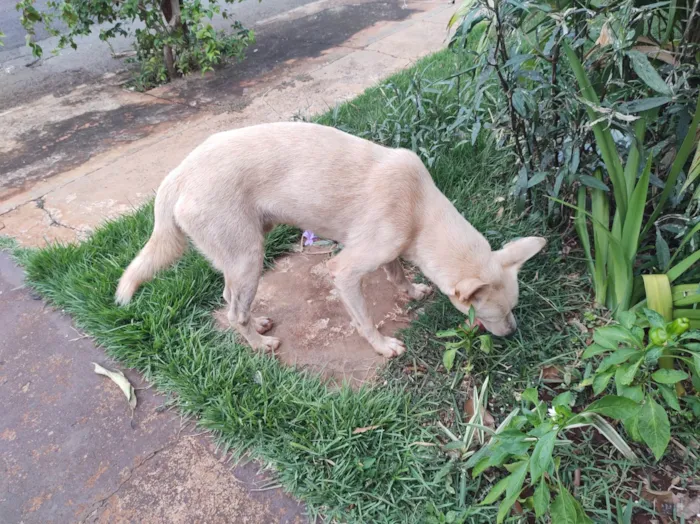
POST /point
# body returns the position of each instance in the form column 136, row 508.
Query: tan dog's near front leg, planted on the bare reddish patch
column 348, row 281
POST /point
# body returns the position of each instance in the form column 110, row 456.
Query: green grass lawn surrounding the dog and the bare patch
column 396, row 472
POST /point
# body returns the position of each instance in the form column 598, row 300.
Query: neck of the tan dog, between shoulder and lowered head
column 448, row 248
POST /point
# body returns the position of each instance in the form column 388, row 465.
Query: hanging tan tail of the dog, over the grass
column 166, row 245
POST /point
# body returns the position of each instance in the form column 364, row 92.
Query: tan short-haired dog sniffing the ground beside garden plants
column 380, row 203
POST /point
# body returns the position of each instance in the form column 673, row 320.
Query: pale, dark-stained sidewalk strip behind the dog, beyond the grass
column 110, row 169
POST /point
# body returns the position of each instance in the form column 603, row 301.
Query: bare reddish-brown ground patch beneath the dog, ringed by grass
column 312, row 323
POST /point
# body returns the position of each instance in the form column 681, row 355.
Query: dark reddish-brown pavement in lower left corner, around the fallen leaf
column 72, row 451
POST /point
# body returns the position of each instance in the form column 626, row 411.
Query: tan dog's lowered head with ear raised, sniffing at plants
column 494, row 293
